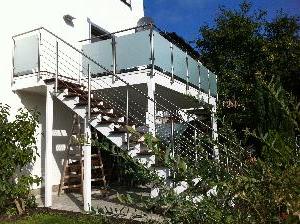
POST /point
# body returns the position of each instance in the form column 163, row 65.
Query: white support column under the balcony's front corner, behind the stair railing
column 151, row 110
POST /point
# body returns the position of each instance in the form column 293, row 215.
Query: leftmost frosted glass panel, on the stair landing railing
column 26, row 55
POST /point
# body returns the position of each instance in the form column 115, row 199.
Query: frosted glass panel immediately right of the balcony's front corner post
column 162, row 51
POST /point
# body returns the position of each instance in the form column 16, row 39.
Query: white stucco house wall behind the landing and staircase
column 18, row 16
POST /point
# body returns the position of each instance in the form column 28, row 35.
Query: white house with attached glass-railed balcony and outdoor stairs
column 128, row 81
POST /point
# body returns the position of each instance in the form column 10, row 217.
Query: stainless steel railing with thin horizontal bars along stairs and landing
column 64, row 62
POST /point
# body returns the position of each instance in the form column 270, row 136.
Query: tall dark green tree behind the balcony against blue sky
column 243, row 47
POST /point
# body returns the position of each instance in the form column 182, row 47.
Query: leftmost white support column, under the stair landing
column 48, row 151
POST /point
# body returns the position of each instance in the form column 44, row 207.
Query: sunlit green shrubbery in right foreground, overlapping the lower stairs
column 247, row 189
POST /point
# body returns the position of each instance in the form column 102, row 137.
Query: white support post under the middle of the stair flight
column 87, row 187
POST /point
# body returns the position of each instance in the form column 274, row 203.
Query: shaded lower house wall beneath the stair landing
column 62, row 124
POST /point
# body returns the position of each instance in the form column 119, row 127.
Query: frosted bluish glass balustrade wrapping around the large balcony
column 149, row 49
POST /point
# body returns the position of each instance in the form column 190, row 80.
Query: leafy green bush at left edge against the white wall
column 18, row 151
